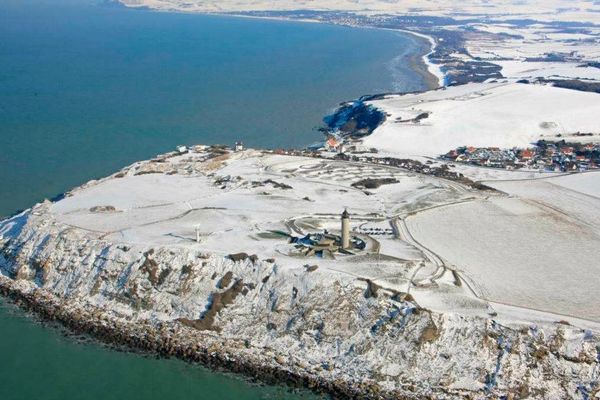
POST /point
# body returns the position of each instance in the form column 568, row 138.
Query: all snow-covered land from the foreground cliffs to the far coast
column 470, row 282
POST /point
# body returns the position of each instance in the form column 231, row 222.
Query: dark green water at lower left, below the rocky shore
column 40, row 362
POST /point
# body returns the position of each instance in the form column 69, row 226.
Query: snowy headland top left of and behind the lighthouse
column 230, row 215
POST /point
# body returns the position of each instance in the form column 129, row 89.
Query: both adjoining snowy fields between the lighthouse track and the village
column 543, row 240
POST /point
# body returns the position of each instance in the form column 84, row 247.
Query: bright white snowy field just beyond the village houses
column 504, row 114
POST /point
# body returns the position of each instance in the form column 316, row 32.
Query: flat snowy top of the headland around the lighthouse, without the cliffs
column 417, row 230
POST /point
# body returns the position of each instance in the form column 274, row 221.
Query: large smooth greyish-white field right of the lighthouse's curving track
column 518, row 253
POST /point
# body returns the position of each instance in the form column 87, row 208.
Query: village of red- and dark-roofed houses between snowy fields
column 543, row 155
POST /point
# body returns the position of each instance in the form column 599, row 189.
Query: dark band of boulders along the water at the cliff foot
column 179, row 341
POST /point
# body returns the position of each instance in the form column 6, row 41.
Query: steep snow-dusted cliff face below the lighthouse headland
column 332, row 330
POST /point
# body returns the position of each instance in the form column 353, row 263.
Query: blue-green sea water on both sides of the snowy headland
column 86, row 89
